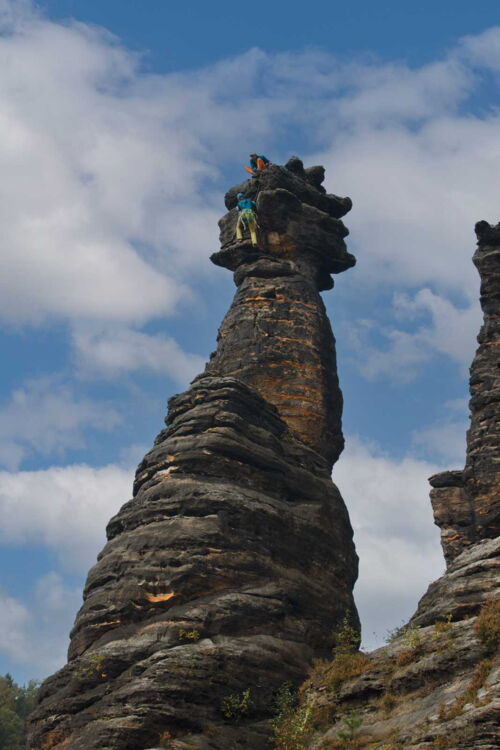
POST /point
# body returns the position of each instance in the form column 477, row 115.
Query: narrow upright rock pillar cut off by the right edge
column 466, row 503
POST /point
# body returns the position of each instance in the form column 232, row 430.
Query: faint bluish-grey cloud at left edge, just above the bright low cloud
column 46, row 416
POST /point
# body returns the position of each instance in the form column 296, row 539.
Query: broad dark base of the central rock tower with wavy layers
column 223, row 578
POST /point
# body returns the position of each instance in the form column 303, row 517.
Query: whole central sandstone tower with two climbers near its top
column 231, row 567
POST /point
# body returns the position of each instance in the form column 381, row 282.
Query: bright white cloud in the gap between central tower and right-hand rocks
column 398, row 545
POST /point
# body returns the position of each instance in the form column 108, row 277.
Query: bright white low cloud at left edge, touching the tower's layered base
column 65, row 509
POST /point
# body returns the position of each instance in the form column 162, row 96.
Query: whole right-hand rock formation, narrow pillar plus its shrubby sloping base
column 436, row 685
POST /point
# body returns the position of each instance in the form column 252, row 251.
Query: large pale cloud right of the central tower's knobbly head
column 417, row 195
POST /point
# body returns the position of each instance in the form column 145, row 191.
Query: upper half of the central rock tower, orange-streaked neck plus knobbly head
column 276, row 335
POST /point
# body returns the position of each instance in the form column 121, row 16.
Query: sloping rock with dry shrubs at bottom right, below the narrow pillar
column 435, row 686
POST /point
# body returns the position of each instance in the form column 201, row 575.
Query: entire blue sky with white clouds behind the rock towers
column 121, row 126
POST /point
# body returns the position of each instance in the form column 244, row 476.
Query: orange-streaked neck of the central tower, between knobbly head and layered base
column 276, row 336
